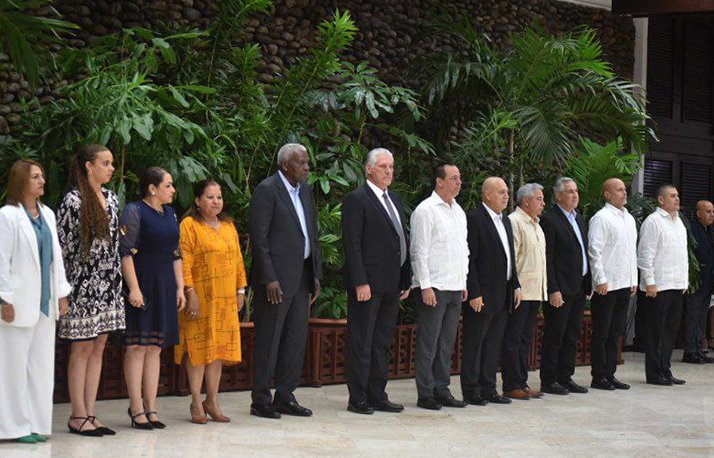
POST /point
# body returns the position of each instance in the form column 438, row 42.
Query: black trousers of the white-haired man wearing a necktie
column 370, row 330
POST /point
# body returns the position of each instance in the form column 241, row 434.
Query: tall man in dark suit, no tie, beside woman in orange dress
column 285, row 277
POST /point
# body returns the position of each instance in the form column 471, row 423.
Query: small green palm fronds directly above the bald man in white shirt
column 594, row 165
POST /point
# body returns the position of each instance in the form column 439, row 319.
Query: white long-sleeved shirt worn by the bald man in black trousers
column 612, row 246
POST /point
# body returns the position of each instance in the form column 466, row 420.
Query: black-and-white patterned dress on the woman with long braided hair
column 96, row 304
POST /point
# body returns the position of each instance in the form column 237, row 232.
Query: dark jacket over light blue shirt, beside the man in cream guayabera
column 564, row 258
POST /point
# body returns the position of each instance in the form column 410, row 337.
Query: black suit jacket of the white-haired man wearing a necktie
column 371, row 243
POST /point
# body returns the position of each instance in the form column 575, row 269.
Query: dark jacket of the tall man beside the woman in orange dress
column 276, row 236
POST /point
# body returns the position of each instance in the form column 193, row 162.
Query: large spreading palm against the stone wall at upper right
column 528, row 105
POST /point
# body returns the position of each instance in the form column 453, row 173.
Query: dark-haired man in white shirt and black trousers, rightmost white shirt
column 664, row 267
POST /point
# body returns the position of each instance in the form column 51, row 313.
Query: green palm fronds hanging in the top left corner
column 24, row 36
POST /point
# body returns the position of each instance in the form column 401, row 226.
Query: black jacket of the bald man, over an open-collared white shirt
column 488, row 262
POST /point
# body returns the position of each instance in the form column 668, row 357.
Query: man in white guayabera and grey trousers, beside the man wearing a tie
column 440, row 262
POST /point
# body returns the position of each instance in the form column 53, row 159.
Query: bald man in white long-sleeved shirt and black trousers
column 612, row 249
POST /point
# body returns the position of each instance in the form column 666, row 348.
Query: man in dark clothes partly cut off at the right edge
column 695, row 311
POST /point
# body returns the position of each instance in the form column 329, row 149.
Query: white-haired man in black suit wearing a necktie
column 377, row 277
